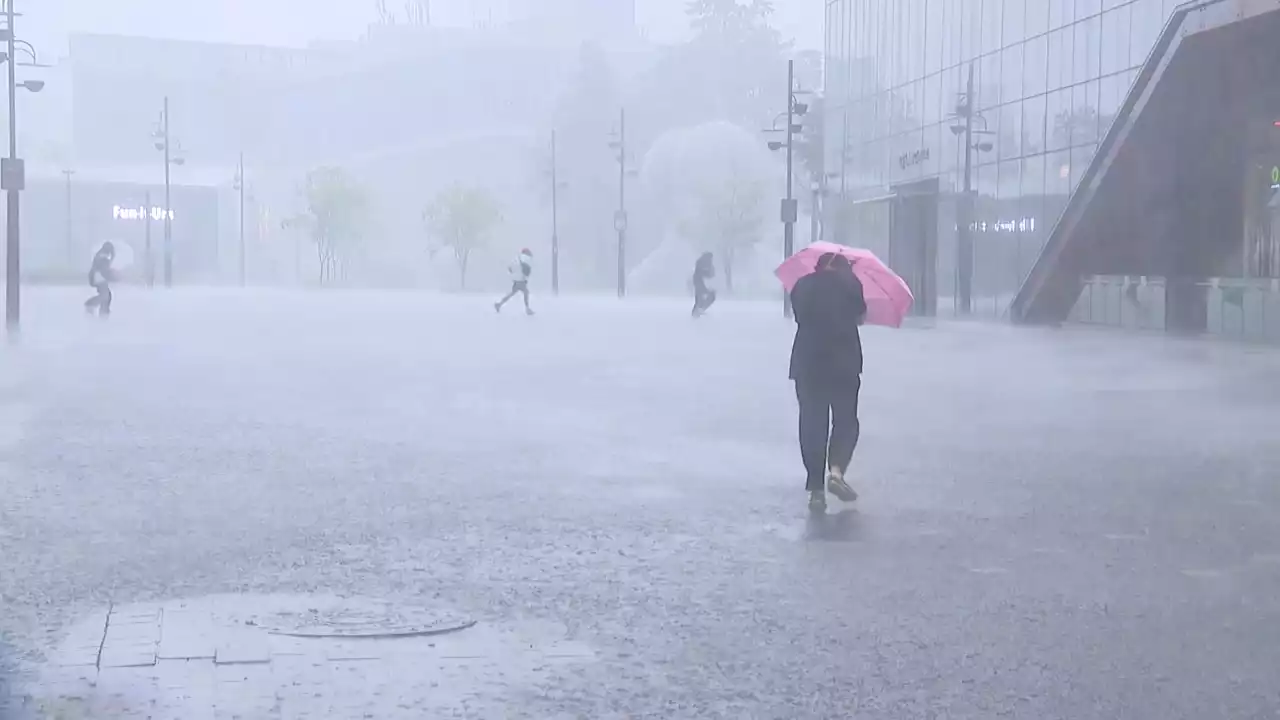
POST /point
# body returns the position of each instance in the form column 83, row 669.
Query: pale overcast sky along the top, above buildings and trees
column 296, row 22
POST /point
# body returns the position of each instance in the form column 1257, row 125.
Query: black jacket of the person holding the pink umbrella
column 829, row 307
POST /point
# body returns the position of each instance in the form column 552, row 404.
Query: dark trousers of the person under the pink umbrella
column 829, row 426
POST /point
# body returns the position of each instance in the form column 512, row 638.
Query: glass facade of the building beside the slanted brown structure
column 1049, row 79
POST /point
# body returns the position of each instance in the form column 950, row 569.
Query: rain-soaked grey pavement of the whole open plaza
column 1055, row 523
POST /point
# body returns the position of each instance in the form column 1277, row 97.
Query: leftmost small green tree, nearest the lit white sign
column 336, row 211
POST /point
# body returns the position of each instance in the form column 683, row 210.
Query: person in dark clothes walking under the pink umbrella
column 826, row 367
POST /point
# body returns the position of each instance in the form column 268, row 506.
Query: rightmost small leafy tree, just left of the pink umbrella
column 729, row 217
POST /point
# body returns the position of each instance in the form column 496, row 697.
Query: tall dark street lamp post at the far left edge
column 12, row 171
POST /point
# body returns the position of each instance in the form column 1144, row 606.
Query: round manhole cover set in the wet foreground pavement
column 362, row 619
